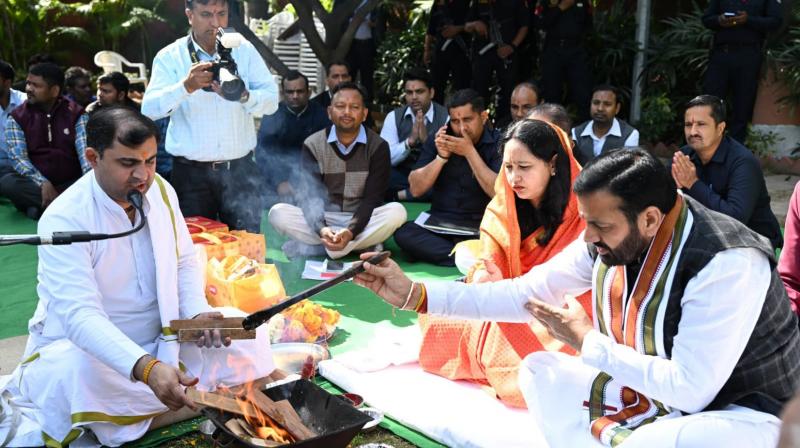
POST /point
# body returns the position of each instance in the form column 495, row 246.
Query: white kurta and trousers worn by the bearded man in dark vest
column 712, row 335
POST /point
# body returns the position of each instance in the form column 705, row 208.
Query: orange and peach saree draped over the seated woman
column 489, row 353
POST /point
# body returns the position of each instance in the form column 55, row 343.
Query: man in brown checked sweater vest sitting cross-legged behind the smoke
column 343, row 176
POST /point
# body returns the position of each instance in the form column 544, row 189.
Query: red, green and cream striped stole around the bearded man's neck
column 635, row 320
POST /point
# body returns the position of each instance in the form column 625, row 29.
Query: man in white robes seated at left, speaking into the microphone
column 101, row 365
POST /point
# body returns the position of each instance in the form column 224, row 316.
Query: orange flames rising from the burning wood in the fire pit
column 262, row 425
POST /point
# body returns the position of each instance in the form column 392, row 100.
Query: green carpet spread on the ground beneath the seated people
column 359, row 308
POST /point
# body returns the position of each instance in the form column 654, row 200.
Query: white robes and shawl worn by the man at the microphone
column 102, row 306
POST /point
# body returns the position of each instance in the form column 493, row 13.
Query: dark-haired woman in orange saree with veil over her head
column 532, row 216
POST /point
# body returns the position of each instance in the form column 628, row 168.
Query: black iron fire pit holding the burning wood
column 335, row 421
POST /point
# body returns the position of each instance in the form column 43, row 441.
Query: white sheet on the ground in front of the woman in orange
column 455, row 413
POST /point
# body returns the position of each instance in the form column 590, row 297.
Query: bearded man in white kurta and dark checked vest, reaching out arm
column 692, row 341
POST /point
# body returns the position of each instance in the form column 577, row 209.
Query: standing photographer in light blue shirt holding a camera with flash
column 211, row 136
